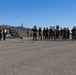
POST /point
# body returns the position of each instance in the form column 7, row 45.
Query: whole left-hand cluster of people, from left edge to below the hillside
column 4, row 32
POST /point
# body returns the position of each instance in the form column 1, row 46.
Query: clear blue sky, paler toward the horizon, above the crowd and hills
column 42, row 13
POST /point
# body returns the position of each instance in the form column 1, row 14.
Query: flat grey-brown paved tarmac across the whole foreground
column 24, row 57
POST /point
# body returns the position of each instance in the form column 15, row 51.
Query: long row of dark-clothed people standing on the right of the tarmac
column 54, row 33
